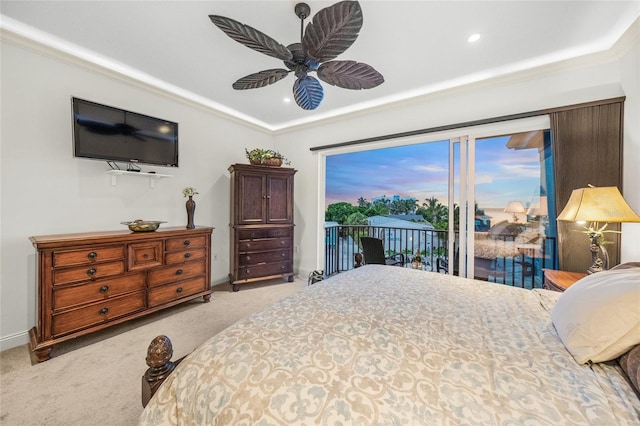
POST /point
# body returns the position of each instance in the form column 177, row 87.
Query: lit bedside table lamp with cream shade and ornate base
column 594, row 206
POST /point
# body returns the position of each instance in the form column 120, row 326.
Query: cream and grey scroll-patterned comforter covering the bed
column 383, row 345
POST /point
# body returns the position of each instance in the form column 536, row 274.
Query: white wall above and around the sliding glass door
column 583, row 80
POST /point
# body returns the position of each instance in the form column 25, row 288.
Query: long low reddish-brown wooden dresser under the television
column 90, row 281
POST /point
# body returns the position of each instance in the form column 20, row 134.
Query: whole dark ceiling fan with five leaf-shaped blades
column 332, row 31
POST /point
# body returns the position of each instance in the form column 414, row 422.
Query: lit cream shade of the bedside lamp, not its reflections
column 603, row 204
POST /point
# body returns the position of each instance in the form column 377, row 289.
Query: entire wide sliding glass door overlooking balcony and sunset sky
column 474, row 204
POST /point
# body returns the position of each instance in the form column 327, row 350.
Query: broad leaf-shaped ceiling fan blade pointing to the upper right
column 332, row 30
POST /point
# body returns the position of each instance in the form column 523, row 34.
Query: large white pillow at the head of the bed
column 598, row 317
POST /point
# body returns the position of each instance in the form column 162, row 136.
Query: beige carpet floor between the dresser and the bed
column 95, row 380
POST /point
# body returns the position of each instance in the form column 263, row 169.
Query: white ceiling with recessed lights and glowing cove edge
column 418, row 46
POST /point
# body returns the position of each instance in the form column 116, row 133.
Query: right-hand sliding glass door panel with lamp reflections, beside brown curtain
column 504, row 187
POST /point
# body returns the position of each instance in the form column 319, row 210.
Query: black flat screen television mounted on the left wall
column 102, row 132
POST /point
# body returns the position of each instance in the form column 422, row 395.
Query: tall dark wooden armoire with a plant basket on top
column 261, row 223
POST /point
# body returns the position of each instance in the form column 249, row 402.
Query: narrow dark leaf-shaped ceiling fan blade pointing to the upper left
column 251, row 37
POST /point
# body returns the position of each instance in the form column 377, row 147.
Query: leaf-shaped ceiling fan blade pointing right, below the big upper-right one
column 350, row 75
